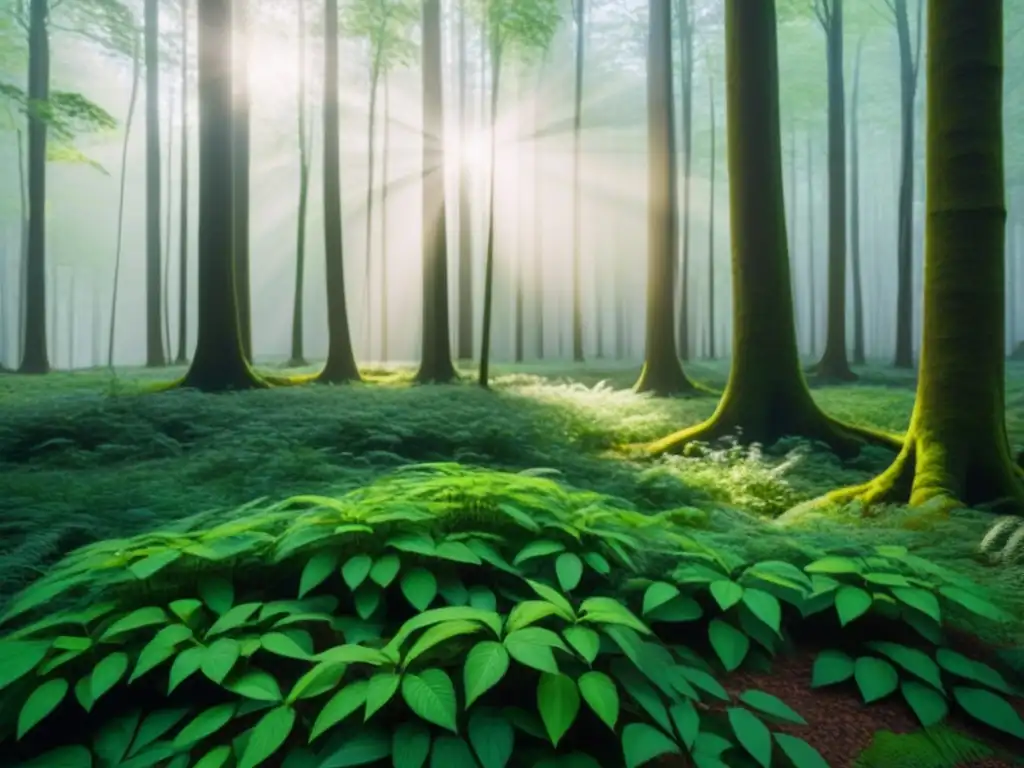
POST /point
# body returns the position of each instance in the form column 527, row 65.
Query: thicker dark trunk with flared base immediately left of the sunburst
column 436, row 366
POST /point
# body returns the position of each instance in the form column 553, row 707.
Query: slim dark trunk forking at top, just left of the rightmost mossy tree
column 910, row 60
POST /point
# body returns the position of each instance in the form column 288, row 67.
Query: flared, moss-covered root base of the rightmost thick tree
column 924, row 474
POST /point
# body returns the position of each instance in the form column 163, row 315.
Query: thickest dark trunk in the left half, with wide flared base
column 220, row 363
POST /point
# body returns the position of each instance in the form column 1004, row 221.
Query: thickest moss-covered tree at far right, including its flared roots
column 957, row 452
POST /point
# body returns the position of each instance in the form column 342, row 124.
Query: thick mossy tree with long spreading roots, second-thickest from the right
column 766, row 397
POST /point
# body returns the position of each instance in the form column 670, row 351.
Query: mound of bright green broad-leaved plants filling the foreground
column 458, row 617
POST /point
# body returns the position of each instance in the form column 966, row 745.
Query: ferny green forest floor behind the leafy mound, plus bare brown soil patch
column 79, row 465
